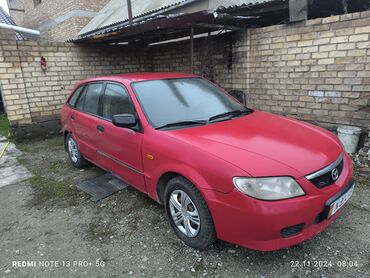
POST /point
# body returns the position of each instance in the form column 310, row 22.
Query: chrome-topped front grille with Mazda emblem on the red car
column 327, row 175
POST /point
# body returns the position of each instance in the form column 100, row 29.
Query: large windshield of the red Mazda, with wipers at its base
column 169, row 101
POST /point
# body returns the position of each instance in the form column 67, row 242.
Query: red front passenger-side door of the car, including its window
column 120, row 148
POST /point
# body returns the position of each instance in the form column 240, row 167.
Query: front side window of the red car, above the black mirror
column 116, row 101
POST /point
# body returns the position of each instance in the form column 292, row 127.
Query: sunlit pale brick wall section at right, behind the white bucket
column 316, row 70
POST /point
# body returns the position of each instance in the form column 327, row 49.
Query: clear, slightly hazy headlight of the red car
column 274, row 188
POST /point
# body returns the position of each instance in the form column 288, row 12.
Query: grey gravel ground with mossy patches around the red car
column 59, row 232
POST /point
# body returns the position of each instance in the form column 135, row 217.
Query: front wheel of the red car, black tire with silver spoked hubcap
column 197, row 236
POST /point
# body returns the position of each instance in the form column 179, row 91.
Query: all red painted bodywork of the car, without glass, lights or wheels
column 210, row 156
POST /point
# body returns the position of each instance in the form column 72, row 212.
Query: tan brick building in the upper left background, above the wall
column 57, row 20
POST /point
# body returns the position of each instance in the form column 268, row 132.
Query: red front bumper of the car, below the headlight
column 258, row 225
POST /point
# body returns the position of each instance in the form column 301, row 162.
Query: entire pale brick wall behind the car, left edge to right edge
column 316, row 70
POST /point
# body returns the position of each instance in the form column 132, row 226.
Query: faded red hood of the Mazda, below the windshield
column 264, row 144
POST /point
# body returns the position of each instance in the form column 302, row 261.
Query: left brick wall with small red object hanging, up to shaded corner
column 31, row 95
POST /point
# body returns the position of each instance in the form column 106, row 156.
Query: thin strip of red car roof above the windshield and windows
column 140, row 76
